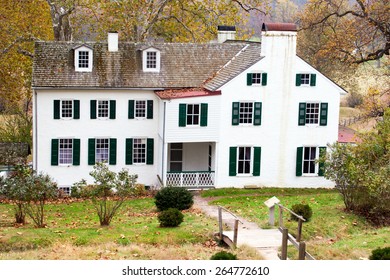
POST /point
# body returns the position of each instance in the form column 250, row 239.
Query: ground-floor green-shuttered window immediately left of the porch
column 139, row 150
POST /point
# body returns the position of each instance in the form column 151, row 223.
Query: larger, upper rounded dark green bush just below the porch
column 173, row 197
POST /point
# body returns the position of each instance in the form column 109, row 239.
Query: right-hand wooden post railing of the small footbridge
column 297, row 242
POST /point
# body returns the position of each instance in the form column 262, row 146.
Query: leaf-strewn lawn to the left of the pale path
column 73, row 232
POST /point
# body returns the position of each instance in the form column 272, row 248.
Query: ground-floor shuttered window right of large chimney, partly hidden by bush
column 307, row 161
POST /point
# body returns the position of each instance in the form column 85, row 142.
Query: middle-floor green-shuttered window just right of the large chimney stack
column 313, row 113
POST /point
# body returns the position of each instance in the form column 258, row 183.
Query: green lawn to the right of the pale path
column 332, row 233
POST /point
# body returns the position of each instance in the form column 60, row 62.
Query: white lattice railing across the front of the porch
column 191, row 179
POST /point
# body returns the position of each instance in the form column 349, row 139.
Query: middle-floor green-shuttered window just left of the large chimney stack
column 246, row 113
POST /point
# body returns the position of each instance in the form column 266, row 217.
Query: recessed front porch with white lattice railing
column 191, row 165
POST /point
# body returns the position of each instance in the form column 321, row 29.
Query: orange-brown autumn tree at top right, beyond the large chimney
column 353, row 31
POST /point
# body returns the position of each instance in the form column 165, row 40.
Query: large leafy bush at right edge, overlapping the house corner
column 362, row 172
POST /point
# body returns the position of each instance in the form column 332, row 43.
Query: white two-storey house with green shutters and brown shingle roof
column 194, row 115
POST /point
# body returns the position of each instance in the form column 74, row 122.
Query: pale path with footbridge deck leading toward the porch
column 266, row 241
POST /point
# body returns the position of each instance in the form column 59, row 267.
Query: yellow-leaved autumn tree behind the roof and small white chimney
column 174, row 21
